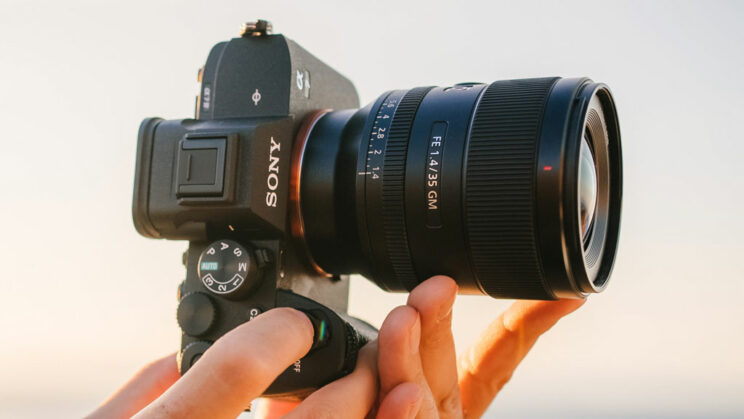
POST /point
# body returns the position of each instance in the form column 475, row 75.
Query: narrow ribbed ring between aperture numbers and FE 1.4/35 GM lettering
column 393, row 187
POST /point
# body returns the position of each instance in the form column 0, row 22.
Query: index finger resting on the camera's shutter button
column 237, row 368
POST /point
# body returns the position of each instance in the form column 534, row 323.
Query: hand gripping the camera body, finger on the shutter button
column 238, row 368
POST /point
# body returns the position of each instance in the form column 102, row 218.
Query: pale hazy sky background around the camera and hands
column 86, row 300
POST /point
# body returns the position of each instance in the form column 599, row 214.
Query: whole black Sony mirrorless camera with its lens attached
column 283, row 187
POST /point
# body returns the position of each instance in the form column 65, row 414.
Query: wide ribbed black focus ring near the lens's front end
column 499, row 188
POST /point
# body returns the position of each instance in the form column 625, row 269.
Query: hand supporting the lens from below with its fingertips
column 420, row 375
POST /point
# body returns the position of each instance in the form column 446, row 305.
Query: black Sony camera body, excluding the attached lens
column 222, row 182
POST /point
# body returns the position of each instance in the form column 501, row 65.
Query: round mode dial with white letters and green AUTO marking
column 228, row 269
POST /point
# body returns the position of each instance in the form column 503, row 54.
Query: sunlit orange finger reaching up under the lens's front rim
column 486, row 366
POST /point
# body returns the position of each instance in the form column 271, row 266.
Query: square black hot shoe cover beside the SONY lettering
column 201, row 167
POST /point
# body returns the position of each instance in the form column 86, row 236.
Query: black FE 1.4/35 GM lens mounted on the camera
column 512, row 188
